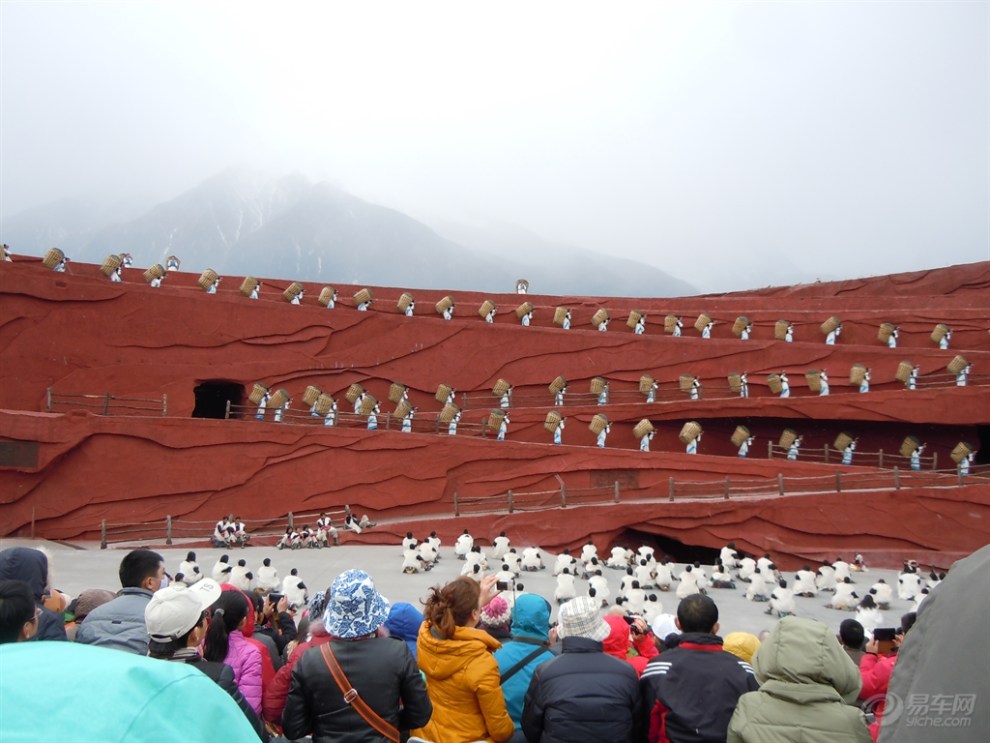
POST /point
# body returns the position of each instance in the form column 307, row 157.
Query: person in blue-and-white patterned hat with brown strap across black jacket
column 391, row 695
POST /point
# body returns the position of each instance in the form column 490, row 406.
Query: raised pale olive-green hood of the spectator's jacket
column 805, row 651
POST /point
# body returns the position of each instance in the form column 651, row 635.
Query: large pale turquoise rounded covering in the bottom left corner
column 100, row 694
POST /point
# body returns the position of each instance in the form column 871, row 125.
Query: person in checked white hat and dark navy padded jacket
column 583, row 694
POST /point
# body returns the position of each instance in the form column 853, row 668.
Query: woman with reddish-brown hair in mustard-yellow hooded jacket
column 462, row 676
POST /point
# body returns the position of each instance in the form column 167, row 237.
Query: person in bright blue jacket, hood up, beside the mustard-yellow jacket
column 528, row 645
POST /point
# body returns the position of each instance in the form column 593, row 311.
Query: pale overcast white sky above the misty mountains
column 717, row 140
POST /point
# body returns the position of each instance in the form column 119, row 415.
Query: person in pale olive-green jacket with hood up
column 808, row 686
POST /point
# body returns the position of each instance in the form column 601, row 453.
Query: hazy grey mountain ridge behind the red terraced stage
column 243, row 222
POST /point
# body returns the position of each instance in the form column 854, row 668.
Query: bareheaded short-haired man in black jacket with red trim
column 691, row 691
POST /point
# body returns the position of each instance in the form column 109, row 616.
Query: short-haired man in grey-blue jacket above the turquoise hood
column 120, row 623
